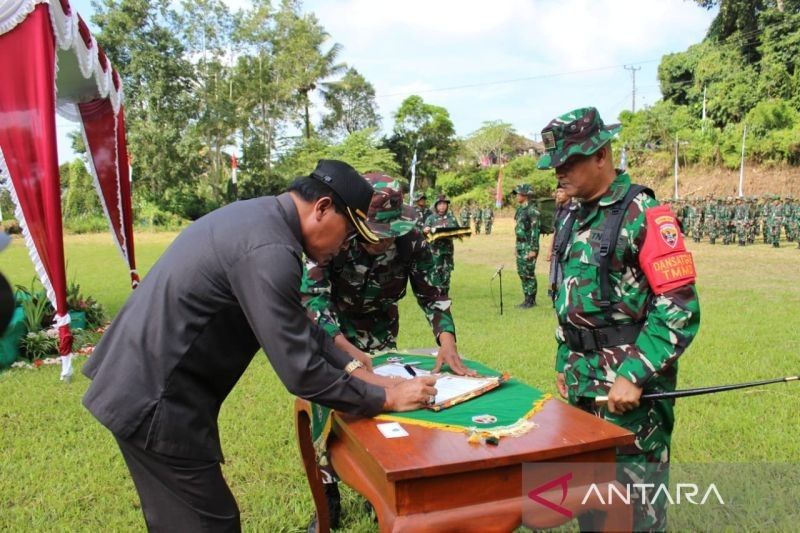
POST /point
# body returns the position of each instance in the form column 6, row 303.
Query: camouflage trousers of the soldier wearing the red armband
column 644, row 462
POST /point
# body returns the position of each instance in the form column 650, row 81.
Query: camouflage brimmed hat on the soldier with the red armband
column 580, row 131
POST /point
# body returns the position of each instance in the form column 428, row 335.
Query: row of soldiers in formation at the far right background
column 740, row 219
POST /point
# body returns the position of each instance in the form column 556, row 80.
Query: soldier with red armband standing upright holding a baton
column 632, row 344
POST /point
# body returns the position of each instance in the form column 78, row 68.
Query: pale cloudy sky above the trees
column 518, row 61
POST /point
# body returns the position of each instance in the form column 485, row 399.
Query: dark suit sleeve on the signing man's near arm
column 266, row 282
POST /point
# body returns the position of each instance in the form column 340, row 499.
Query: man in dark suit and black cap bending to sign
column 228, row 285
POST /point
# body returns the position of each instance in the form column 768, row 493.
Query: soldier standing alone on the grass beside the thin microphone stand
column 527, row 229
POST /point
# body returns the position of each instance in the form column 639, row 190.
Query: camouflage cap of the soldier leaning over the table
column 388, row 217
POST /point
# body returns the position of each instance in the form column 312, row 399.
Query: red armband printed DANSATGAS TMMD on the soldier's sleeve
column 663, row 257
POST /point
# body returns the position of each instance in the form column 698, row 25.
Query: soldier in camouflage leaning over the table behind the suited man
column 355, row 297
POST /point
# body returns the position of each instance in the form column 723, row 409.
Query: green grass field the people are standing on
column 60, row 470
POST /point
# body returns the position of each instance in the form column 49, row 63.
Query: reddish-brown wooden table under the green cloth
column 435, row 480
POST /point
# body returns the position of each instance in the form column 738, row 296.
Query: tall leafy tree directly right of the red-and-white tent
column 141, row 39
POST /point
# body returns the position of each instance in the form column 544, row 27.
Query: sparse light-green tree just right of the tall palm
column 352, row 105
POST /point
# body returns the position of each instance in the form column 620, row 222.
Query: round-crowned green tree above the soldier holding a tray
column 426, row 129
